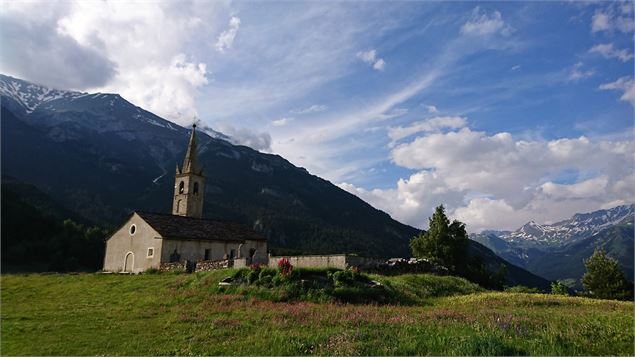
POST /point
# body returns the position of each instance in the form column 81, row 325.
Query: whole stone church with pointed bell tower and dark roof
column 152, row 240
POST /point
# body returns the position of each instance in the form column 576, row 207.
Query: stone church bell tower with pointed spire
column 189, row 186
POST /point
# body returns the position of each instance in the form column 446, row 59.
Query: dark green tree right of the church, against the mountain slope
column 444, row 242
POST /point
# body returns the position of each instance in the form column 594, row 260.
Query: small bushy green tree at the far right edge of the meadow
column 604, row 279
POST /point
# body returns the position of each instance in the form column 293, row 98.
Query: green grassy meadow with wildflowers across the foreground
column 164, row 314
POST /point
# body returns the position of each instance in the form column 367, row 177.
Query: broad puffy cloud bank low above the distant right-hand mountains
column 499, row 181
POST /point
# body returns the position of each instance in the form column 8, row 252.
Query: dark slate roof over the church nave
column 178, row 227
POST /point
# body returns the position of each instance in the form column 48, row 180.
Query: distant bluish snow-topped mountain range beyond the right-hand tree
column 557, row 251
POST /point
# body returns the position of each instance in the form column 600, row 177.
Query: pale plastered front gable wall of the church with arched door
column 122, row 242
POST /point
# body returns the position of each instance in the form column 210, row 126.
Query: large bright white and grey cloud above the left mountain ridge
column 136, row 49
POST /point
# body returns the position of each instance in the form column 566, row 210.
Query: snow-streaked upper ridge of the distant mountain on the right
column 579, row 226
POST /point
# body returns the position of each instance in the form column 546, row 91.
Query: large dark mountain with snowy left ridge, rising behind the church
column 103, row 157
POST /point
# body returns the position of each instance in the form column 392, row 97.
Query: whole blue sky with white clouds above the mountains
column 504, row 112
